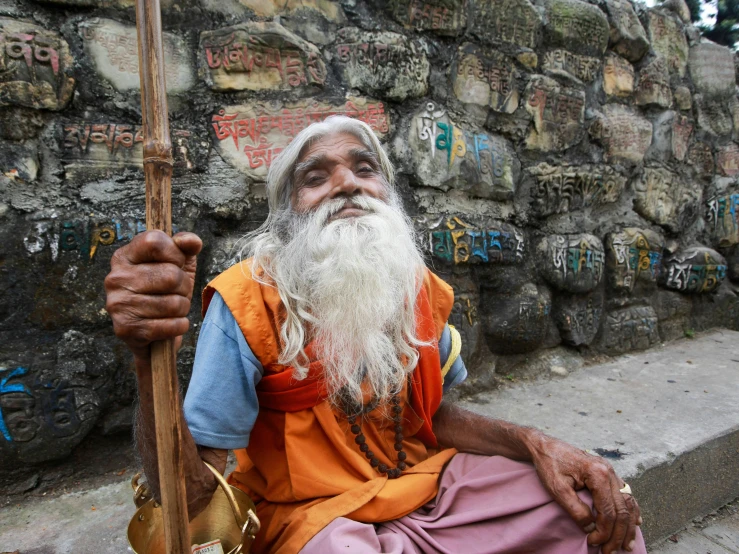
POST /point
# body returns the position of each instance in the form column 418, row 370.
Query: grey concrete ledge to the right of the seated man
column 667, row 419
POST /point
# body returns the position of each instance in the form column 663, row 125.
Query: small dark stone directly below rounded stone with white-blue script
column 578, row 317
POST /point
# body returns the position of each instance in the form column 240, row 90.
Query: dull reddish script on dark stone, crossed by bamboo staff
column 114, row 145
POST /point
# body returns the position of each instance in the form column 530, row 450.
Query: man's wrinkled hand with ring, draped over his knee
column 564, row 469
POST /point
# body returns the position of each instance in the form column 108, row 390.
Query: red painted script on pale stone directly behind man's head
column 250, row 136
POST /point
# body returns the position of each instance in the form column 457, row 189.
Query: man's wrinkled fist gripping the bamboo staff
column 149, row 288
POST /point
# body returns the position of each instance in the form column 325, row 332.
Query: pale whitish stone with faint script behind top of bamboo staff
column 113, row 48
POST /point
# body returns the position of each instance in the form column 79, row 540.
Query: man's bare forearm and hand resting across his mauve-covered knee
column 563, row 469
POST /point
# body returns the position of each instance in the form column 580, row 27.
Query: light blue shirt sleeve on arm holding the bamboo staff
column 221, row 402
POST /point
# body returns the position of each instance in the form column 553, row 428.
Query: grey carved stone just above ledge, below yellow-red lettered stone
column 632, row 328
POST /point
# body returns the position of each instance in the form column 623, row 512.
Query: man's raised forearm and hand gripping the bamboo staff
column 148, row 290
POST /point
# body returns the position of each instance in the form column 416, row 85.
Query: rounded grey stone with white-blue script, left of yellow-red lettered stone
column 572, row 263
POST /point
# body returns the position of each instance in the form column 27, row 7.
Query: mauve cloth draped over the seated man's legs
column 485, row 504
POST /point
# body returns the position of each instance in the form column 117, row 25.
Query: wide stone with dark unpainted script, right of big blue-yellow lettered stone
column 562, row 189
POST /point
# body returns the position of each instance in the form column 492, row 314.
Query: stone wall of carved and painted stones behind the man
column 571, row 166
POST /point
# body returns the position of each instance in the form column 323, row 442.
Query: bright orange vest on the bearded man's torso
column 302, row 467
